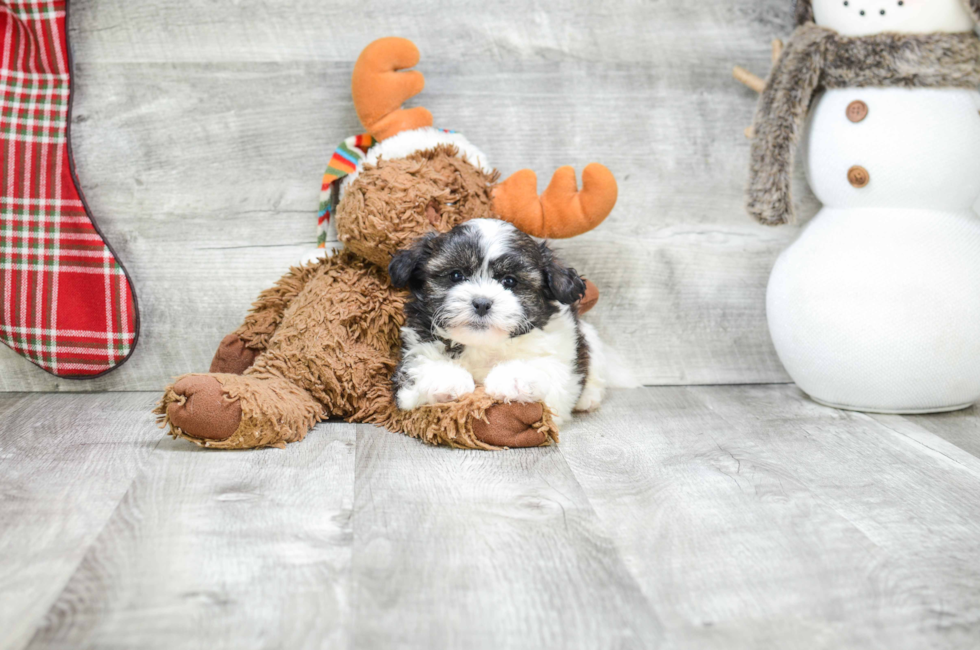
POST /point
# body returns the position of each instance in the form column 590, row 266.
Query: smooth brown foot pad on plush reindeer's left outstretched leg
column 202, row 410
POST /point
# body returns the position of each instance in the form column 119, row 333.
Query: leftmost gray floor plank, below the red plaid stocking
column 65, row 463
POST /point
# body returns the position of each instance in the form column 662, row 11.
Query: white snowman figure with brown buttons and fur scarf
column 876, row 305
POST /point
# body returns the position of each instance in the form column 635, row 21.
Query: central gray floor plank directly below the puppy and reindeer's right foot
column 461, row 549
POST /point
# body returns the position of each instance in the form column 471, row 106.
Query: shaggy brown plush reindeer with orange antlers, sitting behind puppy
column 324, row 341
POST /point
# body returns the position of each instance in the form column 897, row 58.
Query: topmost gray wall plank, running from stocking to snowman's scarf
column 253, row 31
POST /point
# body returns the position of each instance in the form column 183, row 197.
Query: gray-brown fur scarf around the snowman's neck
column 817, row 57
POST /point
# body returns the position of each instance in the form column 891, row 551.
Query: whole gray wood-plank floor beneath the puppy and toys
column 698, row 517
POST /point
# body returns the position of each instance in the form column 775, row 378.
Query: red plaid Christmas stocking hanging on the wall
column 66, row 303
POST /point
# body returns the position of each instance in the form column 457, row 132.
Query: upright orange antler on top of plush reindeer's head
column 379, row 87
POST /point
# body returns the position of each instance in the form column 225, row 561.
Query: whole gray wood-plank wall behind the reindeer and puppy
column 201, row 131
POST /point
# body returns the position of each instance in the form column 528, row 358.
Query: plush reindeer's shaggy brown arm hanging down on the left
column 238, row 351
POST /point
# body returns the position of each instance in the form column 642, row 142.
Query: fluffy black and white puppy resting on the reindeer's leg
column 492, row 306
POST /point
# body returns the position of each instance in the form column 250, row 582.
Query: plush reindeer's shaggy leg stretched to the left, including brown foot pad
column 233, row 412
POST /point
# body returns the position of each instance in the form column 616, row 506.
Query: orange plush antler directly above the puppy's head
column 562, row 211
